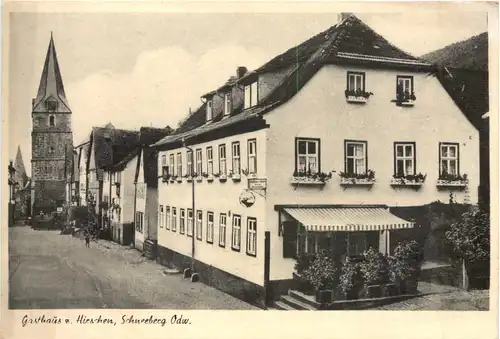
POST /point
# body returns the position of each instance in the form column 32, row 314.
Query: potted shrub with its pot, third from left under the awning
column 375, row 270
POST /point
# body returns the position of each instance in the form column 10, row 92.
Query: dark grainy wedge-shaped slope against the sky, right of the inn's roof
column 469, row 54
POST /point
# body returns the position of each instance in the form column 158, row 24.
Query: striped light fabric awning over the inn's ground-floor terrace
column 328, row 219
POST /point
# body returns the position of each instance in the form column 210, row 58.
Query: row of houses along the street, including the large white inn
column 322, row 147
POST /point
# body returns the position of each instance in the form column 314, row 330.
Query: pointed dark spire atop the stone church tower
column 51, row 95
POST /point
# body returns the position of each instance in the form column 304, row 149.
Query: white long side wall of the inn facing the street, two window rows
column 219, row 198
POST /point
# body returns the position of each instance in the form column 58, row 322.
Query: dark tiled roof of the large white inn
column 349, row 40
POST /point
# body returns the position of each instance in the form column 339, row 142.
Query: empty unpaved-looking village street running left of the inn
column 49, row 270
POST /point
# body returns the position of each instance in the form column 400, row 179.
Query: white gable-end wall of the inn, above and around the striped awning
column 320, row 110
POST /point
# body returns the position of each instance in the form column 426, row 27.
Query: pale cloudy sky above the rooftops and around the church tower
column 149, row 69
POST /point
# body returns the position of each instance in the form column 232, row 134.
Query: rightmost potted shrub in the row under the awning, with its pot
column 405, row 266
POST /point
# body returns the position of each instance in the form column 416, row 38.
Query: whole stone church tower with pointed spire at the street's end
column 51, row 138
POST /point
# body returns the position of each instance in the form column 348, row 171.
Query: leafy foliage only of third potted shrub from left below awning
column 375, row 268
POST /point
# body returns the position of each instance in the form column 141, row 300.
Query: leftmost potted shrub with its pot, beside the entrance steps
column 321, row 274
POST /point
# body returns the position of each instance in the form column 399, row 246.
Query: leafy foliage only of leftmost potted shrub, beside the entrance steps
column 322, row 273
